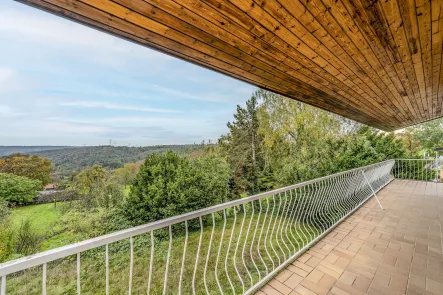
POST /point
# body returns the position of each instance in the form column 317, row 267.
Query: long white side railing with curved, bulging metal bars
column 231, row 248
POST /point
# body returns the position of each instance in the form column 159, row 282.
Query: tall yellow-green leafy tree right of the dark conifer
column 296, row 138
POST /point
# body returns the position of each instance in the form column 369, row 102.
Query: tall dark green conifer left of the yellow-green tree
column 242, row 146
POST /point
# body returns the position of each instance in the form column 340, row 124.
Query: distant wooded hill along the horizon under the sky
column 67, row 160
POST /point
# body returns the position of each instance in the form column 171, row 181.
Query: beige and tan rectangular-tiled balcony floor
column 393, row 251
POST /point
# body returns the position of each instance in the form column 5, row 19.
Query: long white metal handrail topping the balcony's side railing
column 68, row 250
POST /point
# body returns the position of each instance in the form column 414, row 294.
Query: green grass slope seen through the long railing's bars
column 235, row 259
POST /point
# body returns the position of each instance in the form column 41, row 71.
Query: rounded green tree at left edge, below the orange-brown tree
column 18, row 189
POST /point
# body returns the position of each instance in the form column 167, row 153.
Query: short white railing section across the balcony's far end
column 418, row 169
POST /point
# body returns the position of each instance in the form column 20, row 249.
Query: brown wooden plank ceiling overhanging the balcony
column 377, row 62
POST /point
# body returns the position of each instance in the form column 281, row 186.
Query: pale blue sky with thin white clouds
column 62, row 83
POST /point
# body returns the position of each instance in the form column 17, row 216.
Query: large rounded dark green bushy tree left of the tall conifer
column 168, row 185
